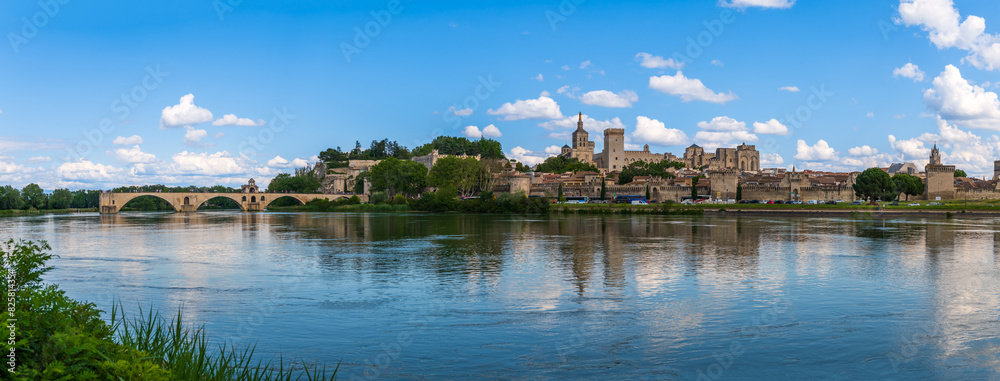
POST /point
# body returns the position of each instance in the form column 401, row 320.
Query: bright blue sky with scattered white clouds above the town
column 100, row 94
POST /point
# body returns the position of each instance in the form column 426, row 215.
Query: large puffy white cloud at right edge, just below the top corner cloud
column 961, row 102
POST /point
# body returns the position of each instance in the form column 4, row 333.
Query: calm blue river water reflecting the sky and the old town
column 557, row 297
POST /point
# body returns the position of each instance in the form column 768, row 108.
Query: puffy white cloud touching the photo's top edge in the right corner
column 941, row 20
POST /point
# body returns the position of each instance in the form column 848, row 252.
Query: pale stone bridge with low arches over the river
column 111, row 202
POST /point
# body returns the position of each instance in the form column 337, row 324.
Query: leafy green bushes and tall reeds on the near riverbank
column 58, row 338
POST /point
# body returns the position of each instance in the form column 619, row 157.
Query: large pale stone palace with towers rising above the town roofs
column 614, row 157
